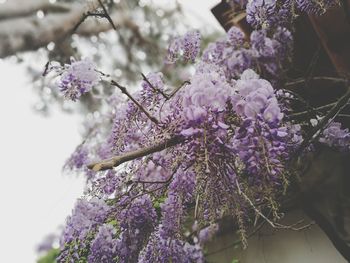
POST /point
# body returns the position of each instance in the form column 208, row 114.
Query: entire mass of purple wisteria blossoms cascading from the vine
column 174, row 162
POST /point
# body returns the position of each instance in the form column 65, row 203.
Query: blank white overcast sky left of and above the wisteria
column 35, row 197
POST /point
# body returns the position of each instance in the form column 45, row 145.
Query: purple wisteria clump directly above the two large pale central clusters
column 266, row 53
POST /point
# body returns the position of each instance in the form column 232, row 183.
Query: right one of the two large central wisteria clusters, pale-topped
column 261, row 140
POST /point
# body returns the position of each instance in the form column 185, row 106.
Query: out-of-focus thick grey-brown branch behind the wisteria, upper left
column 26, row 33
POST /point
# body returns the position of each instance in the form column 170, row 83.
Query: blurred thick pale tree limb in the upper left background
column 22, row 30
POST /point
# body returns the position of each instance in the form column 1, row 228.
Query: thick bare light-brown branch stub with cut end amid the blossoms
column 118, row 160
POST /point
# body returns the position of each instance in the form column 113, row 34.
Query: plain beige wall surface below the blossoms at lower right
column 278, row 246
